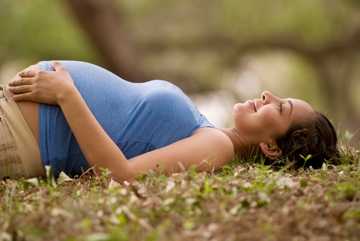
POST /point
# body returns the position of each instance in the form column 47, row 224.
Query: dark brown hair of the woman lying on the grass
column 308, row 144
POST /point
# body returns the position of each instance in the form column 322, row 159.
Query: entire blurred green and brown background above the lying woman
column 218, row 51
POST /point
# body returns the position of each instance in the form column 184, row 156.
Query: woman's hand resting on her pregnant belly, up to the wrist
column 48, row 87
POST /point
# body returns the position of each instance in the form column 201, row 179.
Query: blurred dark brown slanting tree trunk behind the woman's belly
column 101, row 21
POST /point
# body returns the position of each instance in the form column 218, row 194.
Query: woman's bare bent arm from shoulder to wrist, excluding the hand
column 206, row 150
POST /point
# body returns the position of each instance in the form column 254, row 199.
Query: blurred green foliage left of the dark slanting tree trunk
column 40, row 29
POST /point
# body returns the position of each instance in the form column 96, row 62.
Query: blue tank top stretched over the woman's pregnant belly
column 138, row 117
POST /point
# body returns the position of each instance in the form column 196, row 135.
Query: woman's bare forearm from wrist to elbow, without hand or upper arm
column 98, row 148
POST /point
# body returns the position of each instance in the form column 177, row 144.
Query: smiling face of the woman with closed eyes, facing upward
column 266, row 118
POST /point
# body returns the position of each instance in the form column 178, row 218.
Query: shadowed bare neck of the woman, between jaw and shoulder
column 242, row 147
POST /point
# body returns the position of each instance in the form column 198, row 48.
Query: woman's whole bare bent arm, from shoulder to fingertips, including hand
column 98, row 147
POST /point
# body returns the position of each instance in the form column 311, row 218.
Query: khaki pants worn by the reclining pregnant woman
column 19, row 151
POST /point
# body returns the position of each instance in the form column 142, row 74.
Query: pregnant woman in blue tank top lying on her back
column 77, row 115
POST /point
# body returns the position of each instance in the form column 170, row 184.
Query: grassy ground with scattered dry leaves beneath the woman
column 242, row 201
